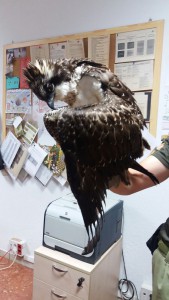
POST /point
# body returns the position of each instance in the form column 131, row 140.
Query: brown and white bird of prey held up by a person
column 100, row 130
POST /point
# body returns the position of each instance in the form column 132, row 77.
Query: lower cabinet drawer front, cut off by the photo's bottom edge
column 42, row 291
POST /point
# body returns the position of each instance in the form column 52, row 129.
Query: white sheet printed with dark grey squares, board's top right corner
column 135, row 45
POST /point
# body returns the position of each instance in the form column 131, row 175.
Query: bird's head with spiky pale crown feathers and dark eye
column 43, row 77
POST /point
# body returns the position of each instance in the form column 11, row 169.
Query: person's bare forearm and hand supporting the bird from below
column 140, row 181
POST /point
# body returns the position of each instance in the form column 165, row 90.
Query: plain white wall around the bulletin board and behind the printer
column 22, row 206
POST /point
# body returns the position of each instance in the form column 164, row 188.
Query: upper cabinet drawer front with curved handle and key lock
column 61, row 276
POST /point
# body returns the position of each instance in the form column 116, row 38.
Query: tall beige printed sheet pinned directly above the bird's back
column 98, row 49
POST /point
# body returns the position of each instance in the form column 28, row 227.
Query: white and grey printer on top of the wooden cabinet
column 64, row 228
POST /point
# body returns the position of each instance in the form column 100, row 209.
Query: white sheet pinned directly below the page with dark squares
column 136, row 75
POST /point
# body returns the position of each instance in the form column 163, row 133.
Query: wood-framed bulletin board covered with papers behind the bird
column 132, row 52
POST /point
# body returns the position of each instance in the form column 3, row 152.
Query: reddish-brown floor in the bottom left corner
column 15, row 282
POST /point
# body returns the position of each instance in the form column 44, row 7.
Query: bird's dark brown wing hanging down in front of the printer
column 99, row 142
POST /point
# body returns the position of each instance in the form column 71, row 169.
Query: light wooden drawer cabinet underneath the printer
column 59, row 276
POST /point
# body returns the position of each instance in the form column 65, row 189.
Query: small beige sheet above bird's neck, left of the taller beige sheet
column 75, row 48
